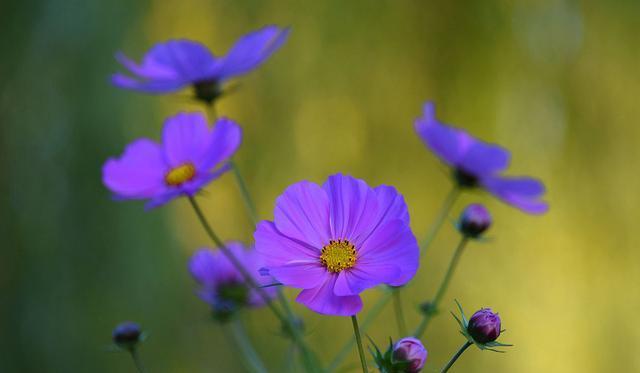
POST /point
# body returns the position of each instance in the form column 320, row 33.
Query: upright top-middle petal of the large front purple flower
column 353, row 208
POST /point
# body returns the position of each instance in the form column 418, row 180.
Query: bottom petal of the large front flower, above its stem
column 323, row 300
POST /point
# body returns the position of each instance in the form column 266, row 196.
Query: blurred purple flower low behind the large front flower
column 222, row 285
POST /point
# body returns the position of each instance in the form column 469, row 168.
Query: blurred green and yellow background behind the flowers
column 556, row 82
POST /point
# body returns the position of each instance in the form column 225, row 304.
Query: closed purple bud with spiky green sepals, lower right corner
column 482, row 329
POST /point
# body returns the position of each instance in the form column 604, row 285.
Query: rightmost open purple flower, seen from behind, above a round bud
column 479, row 164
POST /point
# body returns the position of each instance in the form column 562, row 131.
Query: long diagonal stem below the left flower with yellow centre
column 309, row 361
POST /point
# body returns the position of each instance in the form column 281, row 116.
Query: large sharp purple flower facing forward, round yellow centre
column 337, row 240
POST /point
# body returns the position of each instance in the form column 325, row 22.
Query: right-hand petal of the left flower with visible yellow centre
column 225, row 140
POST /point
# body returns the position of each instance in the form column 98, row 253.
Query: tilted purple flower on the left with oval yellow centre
column 191, row 155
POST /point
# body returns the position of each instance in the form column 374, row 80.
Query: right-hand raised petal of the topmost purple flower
column 252, row 50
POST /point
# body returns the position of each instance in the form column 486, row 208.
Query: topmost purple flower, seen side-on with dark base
column 176, row 64
